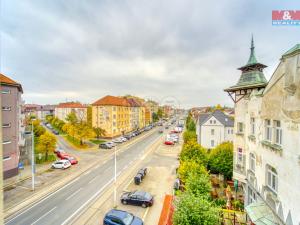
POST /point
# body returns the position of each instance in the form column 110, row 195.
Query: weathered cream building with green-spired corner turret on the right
column 267, row 139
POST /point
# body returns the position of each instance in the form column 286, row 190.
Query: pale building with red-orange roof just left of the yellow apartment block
column 62, row 110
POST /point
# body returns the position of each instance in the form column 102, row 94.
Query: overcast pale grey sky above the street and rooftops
column 187, row 51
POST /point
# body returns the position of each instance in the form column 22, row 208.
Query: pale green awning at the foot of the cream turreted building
column 261, row 214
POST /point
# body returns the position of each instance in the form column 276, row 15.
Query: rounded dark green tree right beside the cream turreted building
column 221, row 159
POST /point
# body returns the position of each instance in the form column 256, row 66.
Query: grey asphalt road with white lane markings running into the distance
column 61, row 206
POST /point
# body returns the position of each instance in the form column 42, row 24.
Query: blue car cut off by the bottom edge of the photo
column 120, row 217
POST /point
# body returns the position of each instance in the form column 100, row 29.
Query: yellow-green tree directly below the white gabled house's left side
column 192, row 151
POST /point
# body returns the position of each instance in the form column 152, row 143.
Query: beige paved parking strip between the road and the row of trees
column 161, row 161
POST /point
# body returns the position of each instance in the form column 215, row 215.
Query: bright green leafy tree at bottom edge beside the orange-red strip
column 194, row 210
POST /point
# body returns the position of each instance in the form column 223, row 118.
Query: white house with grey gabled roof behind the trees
column 214, row 128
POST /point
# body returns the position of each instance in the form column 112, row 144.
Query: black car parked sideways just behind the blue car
column 139, row 198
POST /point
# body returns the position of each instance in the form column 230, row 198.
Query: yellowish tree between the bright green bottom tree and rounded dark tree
column 187, row 168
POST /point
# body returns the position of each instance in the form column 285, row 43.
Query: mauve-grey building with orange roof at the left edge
column 12, row 125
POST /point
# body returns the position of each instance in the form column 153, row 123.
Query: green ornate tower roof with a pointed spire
column 252, row 74
